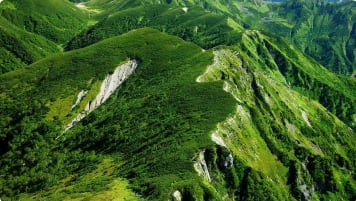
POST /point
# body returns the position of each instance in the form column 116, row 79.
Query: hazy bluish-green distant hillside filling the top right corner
column 324, row 31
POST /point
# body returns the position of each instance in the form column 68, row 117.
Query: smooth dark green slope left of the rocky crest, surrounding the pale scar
column 170, row 110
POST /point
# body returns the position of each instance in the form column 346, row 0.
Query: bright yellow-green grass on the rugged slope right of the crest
column 268, row 131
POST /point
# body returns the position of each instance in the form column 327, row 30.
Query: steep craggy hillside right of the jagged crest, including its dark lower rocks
column 273, row 132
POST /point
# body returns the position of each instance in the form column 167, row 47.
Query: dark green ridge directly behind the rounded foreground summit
column 194, row 24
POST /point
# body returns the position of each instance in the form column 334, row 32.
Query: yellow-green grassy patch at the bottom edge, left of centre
column 96, row 185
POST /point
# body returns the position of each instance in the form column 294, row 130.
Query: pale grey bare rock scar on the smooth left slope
column 108, row 87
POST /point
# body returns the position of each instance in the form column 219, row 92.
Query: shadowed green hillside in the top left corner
column 31, row 30
